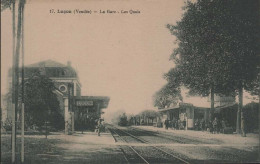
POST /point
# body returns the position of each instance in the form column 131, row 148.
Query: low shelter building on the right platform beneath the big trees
column 190, row 112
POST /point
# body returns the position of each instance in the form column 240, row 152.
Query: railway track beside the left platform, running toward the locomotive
column 142, row 154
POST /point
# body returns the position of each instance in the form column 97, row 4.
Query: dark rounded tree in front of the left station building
column 41, row 103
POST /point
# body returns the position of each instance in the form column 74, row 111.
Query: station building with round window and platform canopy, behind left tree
column 68, row 90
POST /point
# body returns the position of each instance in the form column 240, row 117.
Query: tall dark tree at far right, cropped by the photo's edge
column 244, row 47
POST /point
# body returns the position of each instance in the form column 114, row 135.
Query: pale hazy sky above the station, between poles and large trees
column 123, row 56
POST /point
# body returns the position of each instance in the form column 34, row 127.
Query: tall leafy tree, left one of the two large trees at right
column 198, row 51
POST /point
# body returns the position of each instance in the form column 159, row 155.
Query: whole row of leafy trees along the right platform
column 217, row 52
